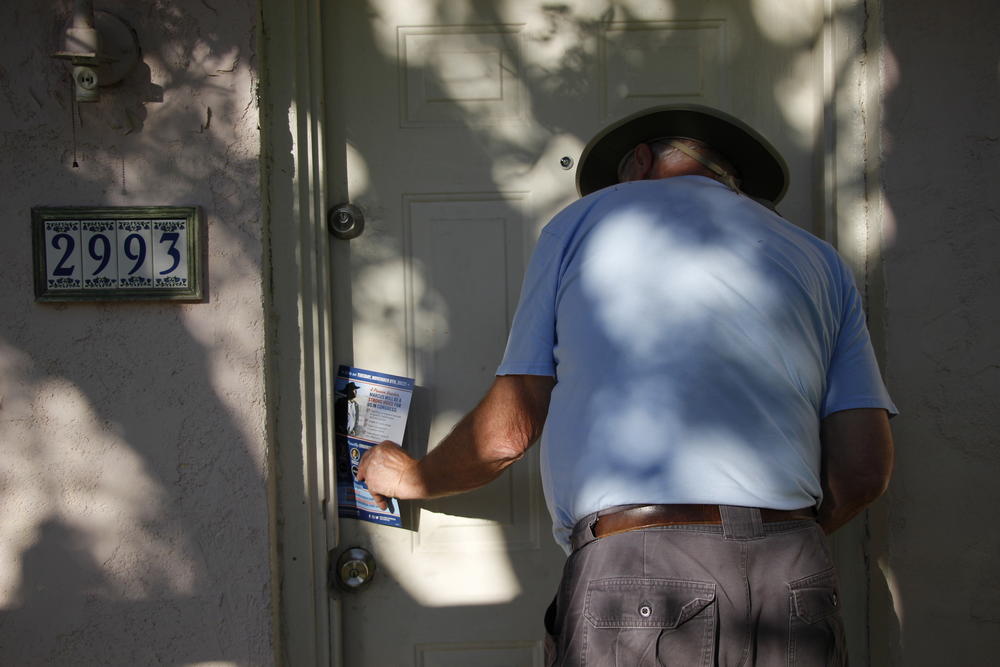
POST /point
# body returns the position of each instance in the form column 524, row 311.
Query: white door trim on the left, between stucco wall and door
column 299, row 369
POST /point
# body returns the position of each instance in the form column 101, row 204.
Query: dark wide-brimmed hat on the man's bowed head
column 762, row 170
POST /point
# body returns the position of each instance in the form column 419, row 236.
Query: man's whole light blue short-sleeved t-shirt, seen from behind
column 697, row 339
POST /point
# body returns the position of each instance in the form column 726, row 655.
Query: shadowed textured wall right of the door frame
column 941, row 175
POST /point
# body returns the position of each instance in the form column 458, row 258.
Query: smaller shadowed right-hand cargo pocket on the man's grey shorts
column 816, row 629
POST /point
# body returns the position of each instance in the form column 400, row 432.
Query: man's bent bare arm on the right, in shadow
column 857, row 458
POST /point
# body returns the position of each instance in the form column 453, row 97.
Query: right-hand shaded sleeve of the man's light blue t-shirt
column 853, row 379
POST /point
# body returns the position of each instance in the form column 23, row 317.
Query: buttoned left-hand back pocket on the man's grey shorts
column 633, row 621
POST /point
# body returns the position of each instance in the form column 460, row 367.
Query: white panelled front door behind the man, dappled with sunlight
column 452, row 123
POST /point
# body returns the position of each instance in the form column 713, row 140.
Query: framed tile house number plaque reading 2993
column 120, row 253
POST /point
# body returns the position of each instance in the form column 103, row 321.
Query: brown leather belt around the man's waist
column 658, row 516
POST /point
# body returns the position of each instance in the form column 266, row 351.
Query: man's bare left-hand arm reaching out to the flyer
column 494, row 435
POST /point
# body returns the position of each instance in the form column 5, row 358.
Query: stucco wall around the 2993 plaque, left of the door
column 133, row 497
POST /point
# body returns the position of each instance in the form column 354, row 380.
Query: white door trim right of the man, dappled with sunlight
column 851, row 154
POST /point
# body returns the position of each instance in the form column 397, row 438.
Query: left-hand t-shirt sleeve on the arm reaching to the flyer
column 533, row 333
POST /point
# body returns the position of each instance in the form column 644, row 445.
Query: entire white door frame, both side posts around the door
column 299, row 368
